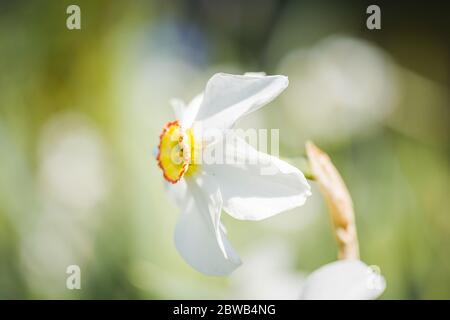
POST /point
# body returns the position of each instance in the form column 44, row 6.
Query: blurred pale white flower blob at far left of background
column 73, row 164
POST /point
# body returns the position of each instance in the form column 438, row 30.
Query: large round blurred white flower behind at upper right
column 344, row 86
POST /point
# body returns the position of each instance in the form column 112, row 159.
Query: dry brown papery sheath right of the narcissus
column 338, row 199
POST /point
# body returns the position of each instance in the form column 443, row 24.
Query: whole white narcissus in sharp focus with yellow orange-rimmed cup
column 202, row 189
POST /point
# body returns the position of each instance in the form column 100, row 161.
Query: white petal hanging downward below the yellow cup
column 198, row 235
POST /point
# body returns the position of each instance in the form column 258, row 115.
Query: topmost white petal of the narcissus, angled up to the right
column 229, row 97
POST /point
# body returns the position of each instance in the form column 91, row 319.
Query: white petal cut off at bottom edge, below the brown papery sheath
column 344, row 280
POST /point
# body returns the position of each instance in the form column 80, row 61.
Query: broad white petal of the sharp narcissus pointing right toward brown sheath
column 256, row 185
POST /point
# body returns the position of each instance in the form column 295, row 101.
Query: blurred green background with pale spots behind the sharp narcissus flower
column 81, row 110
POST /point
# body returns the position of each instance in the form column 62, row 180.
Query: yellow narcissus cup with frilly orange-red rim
column 176, row 152
